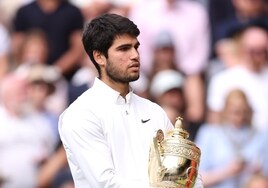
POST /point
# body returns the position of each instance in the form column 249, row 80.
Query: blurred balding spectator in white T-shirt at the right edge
column 249, row 75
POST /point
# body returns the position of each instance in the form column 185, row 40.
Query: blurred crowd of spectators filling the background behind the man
column 203, row 60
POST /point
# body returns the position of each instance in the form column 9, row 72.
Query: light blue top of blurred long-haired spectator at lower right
column 221, row 144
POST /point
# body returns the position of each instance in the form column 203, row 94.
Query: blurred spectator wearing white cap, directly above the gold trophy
column 166, row 89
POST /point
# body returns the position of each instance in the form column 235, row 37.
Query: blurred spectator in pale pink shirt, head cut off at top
column 188, row 24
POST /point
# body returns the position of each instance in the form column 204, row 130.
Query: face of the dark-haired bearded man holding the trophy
column 123, row 62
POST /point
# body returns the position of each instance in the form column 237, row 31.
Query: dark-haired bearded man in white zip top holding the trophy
column 108, row 130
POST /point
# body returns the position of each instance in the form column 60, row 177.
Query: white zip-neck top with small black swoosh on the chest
column 107, row 138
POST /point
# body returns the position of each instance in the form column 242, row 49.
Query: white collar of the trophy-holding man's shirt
column 111, row 94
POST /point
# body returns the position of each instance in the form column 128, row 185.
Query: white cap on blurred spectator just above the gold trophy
column 164, row 81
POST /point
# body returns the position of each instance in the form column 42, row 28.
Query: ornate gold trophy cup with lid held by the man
column 174, row 160
